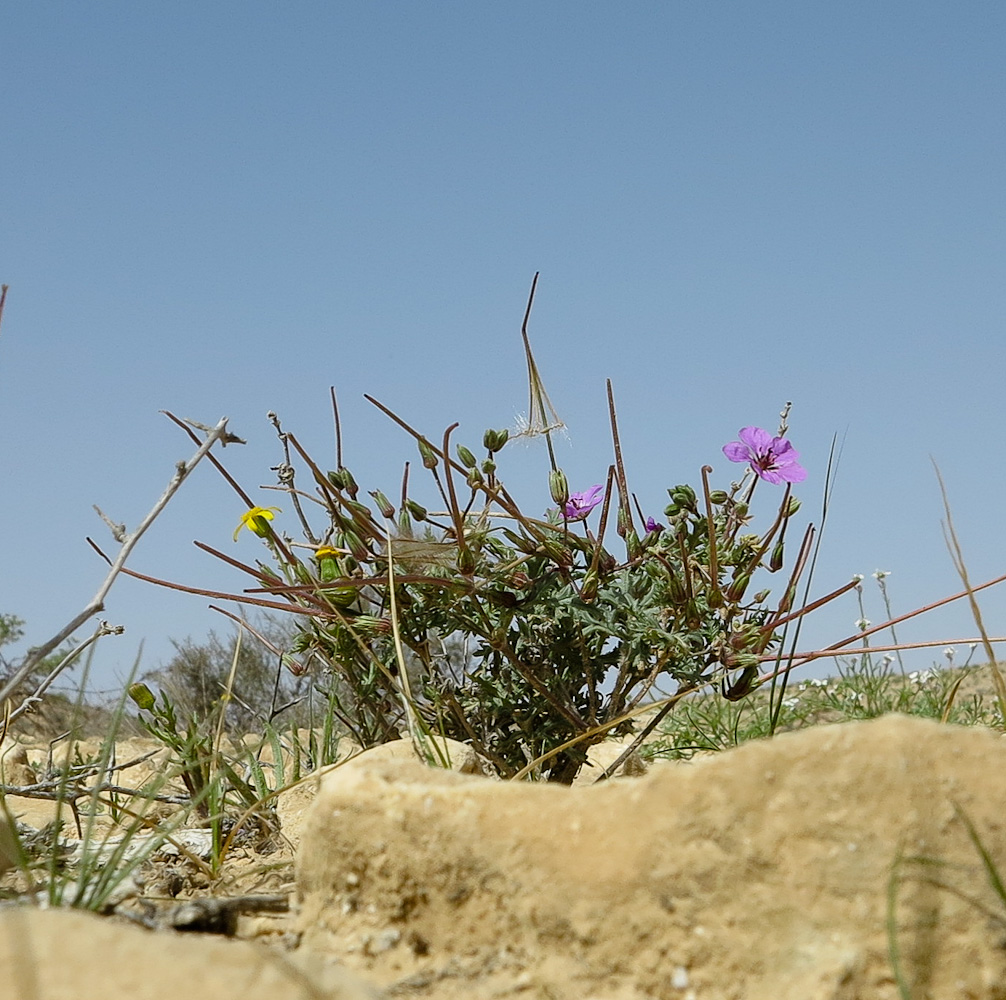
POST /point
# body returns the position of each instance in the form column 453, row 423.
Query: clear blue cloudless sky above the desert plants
column 226, row 209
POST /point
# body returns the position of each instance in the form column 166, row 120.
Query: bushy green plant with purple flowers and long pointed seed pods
column 528, row 634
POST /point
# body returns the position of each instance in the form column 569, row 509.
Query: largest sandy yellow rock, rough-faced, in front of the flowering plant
column 762, row 874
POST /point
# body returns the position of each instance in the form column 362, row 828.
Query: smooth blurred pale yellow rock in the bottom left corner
column 67, row 955
